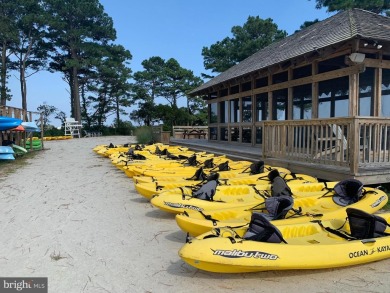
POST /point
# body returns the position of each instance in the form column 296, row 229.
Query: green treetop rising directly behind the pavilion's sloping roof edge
column 254, row 35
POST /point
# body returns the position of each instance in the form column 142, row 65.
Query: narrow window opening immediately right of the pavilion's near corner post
column 366, row 92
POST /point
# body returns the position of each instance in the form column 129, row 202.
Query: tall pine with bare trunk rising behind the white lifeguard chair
column 76, row 26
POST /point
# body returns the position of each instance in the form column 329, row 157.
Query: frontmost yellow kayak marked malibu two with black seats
column 304, row 246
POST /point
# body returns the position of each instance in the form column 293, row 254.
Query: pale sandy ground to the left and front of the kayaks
column 73, row 217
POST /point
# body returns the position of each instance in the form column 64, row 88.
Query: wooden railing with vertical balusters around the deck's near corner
column 351, row 142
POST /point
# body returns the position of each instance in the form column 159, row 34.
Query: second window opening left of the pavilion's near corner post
column 302, row 102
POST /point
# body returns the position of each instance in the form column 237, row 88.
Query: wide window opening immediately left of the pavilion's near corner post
column 333, row 97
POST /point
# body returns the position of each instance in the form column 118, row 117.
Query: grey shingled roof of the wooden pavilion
column 346, row 25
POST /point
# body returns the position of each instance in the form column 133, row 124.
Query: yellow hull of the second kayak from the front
column 319, row 207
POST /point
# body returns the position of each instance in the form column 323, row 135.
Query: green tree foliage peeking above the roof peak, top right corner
column 376, row 6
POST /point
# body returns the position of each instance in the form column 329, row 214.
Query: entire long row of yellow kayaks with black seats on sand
column 242, row 216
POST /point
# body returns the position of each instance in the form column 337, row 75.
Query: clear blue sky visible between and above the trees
column 176, row 29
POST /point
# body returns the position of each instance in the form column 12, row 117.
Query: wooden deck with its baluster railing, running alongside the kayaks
column 329, row 149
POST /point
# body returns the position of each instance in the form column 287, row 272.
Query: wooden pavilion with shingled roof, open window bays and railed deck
column 316, row 102
